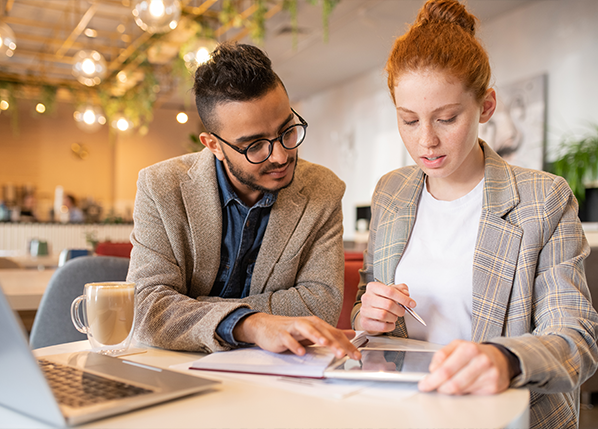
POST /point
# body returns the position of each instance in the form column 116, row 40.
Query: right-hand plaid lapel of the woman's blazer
column 497, row 250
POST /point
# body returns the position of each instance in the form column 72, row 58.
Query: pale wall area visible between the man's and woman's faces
column 353, row 131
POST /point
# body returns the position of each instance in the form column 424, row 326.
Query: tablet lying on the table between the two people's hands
column 383, row 365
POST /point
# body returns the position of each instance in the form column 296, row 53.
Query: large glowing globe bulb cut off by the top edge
column 157, row 16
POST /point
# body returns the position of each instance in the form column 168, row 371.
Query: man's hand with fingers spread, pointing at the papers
column 279, row 333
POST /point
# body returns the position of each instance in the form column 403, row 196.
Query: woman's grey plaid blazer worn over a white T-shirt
column 529, row 287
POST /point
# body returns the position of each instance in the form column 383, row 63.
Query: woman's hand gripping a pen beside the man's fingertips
column 380, row 307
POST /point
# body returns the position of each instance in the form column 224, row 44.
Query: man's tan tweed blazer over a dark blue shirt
column 176, row 252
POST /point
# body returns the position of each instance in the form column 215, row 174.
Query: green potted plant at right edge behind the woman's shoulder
column 578, row 164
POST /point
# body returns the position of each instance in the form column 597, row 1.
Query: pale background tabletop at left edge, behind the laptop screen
column 24, row 288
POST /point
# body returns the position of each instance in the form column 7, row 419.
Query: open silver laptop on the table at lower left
column 102, row 385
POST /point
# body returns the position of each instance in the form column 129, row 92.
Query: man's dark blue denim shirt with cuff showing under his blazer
column 243, row 231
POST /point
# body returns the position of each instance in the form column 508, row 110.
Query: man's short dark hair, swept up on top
column 235, row 72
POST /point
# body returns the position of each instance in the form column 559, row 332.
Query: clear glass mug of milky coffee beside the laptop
column 108, row 315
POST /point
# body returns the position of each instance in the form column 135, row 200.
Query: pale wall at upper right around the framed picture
column 559, row 38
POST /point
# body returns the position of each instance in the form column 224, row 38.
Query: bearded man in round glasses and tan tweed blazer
column 241, row 243
